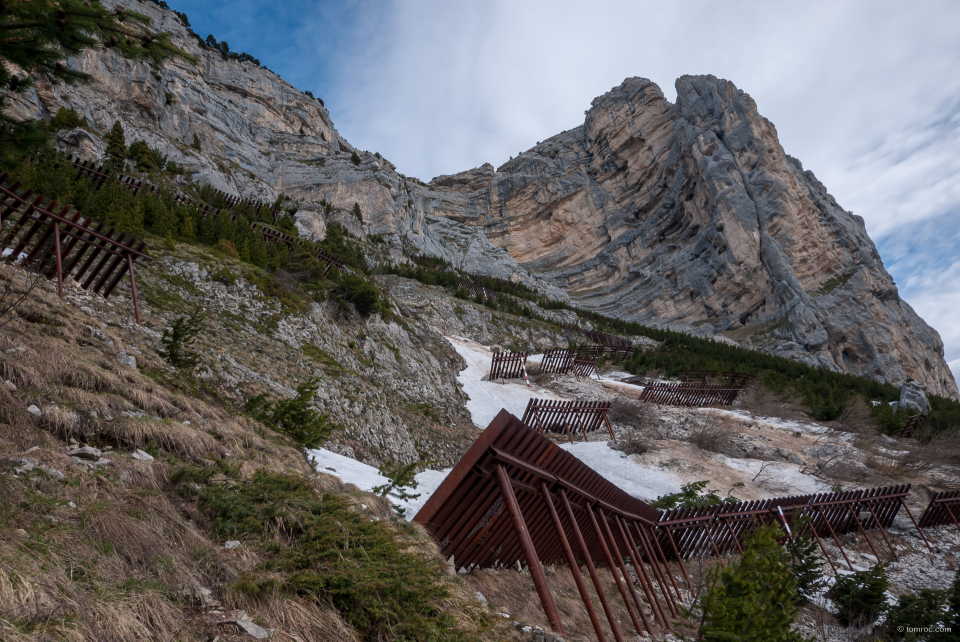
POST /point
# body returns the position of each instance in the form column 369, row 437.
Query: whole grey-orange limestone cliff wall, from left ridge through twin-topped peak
column 688, row 215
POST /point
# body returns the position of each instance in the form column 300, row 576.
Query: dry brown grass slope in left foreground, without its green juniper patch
column 129, row 551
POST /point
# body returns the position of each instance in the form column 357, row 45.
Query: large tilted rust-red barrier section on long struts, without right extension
column 516, row 496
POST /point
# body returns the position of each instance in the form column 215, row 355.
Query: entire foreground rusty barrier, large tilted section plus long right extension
column 517, row 496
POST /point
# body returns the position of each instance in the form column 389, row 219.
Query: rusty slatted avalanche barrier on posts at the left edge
column 63, row 244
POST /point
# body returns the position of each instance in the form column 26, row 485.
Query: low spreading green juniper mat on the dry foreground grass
column 319, row 546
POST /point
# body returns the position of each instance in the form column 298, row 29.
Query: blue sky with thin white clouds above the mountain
column 865, row 94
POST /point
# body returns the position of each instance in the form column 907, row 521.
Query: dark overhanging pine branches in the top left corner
column 39, row 36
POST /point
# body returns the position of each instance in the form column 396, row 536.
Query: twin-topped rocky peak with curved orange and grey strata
column 691, row 215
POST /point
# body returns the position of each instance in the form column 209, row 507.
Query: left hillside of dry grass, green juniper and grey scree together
column 109, row 542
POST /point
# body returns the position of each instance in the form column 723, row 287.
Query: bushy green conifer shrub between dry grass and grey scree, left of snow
column 294, row 417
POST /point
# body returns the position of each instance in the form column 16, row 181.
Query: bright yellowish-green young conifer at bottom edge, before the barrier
column 754, row 599
